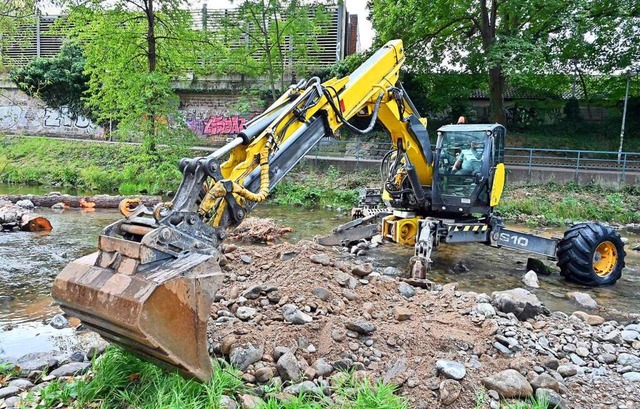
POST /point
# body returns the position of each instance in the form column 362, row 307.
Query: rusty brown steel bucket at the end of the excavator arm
column 149, row 289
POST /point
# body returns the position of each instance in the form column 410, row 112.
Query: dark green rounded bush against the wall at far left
column 59, row 81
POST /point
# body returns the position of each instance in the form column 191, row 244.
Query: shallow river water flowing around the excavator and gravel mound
column 30, row 261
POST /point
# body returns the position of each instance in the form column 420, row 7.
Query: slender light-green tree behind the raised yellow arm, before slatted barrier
column 277, row 33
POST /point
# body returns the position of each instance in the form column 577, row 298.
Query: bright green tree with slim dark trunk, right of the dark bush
column 132, row 50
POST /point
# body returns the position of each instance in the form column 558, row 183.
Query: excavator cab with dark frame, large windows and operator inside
column 466, row 160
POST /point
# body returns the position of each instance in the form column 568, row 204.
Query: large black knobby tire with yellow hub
column 591, row 254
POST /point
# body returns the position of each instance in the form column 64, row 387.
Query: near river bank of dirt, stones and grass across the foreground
column 293, row 317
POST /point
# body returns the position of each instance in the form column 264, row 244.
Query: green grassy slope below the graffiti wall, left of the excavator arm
column 104, row 168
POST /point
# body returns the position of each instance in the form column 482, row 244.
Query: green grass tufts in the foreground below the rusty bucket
column 120, row 380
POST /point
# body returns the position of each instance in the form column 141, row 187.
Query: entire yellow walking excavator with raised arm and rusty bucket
column 150, row 286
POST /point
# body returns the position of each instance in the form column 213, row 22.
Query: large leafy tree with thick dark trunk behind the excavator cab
column 500, row 38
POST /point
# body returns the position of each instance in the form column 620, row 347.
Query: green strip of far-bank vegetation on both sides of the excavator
column 127, row 169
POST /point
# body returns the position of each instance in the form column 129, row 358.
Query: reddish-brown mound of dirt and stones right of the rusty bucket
column 301, row 312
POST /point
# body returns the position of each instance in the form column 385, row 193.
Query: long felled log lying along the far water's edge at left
column 100, row 201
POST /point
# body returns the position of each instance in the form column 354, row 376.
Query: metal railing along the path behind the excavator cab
column 530, row 158
